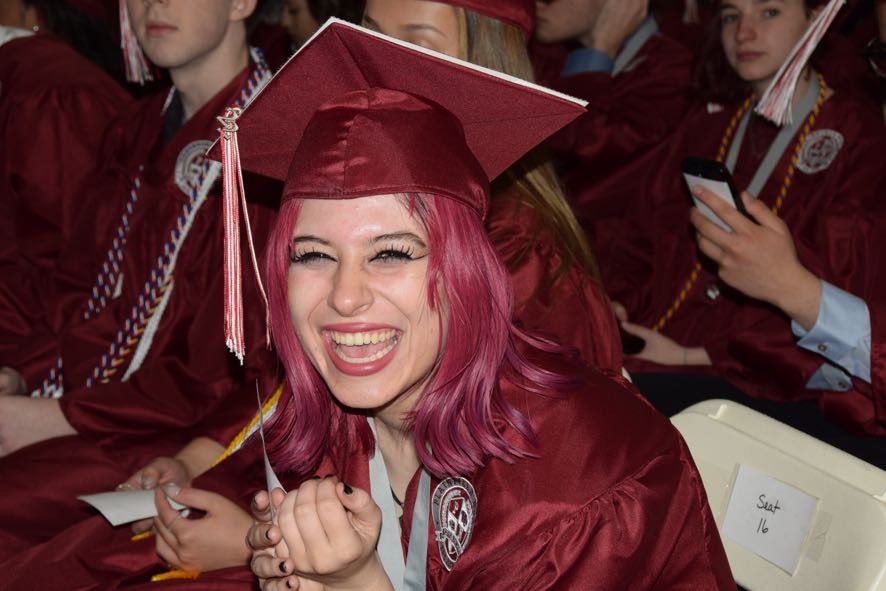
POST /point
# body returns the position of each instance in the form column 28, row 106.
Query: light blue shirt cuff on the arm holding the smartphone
column 842, row 335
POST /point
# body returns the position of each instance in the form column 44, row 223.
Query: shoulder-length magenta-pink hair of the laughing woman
column 463, row 403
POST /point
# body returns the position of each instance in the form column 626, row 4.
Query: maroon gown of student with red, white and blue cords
column 186, row 375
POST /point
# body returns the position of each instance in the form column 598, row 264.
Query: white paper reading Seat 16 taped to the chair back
column 769, row 518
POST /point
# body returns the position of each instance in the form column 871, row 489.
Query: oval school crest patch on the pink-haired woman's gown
column 454, row 508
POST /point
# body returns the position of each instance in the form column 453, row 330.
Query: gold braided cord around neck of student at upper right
column 786, row 183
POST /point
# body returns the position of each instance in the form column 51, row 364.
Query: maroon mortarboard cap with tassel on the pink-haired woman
column 355, row 113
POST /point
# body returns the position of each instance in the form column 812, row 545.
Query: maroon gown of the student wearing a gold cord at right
column 833, row 215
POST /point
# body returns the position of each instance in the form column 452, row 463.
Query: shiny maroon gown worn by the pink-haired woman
column 615, row 504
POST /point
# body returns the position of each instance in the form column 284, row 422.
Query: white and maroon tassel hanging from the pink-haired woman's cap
column 232, row 179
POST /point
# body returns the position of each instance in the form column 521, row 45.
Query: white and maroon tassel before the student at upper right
column 776, row 102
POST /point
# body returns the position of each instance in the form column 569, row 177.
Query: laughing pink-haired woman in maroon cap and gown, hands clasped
column 409, row 383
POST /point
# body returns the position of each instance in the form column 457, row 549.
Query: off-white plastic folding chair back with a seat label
column 845, row 545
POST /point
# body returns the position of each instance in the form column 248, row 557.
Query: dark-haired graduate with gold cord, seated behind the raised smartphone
column 819, row 174
